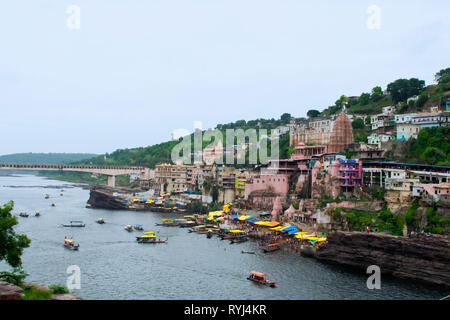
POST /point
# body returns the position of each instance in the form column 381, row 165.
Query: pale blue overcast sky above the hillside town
column 133, row 71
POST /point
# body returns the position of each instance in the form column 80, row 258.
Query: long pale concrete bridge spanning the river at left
column 110, row 171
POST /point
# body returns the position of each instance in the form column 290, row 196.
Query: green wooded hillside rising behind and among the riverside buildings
column 397, row 93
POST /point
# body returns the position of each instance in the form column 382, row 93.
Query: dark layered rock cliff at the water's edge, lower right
column 426, row 260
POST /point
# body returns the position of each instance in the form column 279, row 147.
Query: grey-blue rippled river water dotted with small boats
column 189, row 266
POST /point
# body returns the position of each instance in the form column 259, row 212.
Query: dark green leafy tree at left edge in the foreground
column 11, row 244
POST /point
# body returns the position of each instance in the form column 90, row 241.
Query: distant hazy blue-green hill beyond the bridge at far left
column 44, row 158
